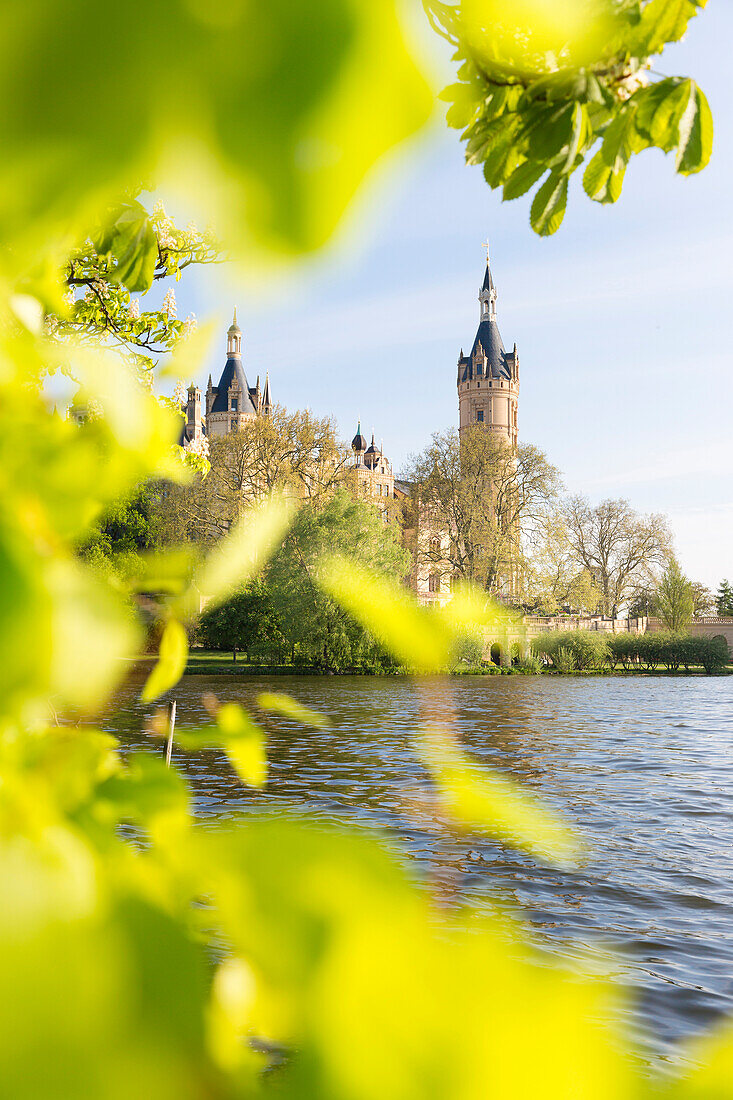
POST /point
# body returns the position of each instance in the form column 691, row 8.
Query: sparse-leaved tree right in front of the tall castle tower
column 474, row 501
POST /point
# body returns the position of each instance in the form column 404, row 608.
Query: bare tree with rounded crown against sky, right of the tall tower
column 621, row 549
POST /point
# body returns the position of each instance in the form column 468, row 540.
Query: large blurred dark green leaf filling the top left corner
column 319, row 95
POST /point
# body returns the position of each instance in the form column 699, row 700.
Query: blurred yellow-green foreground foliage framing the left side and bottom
column 115, row 980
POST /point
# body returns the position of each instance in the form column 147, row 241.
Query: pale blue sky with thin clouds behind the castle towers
column 622, row 320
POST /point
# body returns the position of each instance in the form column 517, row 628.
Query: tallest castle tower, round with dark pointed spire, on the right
column 489, row 377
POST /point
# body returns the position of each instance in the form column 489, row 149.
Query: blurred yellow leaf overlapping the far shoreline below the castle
column 389, row 613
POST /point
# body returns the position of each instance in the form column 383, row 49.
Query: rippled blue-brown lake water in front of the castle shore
column 641, row 767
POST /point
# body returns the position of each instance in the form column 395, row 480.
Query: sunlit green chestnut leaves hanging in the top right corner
column 549, row 86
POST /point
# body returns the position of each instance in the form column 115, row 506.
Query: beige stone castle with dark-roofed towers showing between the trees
column 488, row 394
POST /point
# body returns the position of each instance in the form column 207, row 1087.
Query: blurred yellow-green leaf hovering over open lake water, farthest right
column 478, row 800
